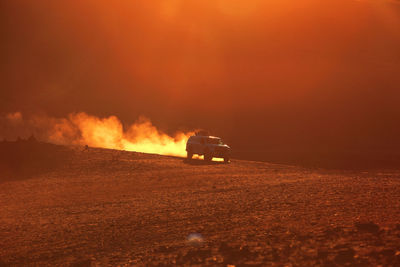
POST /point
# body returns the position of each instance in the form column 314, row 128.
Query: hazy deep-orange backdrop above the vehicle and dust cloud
column 260, row 73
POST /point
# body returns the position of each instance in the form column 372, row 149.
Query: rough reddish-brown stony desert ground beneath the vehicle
column 104, row 207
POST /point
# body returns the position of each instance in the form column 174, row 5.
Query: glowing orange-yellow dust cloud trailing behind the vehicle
column 83, row 129
